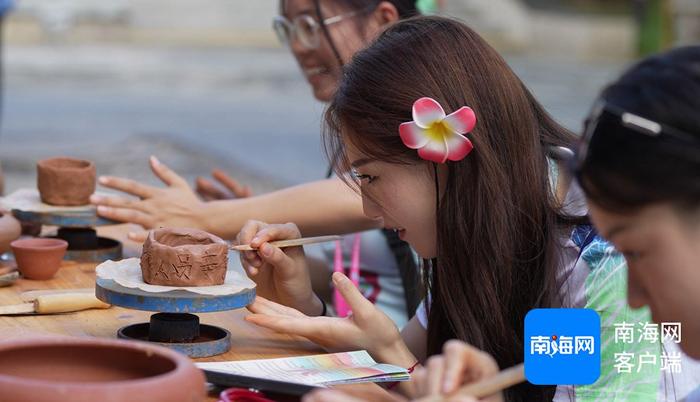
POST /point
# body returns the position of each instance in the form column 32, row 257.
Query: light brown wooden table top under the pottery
column 247, row 340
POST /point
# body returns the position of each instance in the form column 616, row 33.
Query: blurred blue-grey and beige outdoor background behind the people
column 204, row 84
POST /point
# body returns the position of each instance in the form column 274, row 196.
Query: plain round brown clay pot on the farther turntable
column 65, row 181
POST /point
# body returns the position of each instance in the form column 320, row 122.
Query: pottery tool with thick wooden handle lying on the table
column 55, row 303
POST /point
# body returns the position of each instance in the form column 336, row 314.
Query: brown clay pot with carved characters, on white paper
column 184, row 257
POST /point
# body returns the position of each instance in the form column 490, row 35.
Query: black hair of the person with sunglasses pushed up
column 624, row 170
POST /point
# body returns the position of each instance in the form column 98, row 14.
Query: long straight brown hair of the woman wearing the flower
column 497, row 220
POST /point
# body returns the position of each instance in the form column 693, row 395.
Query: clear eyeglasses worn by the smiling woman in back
column 305, row 28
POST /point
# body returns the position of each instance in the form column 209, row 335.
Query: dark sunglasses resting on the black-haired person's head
column 607, row 115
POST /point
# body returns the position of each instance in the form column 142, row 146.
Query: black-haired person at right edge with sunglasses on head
column 639, row 165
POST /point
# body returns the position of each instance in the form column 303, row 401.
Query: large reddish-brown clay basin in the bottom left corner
column 53, row 369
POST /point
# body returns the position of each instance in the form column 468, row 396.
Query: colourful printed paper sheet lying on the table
column 318, row 370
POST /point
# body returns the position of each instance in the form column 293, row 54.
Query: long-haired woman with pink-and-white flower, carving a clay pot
column 447, row 146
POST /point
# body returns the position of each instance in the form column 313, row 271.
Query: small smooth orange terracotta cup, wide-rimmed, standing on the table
column 38, row 258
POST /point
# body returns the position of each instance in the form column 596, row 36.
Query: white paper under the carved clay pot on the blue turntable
column 127, row 272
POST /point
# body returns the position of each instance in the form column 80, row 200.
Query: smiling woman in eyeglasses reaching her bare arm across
column 322, row 35
